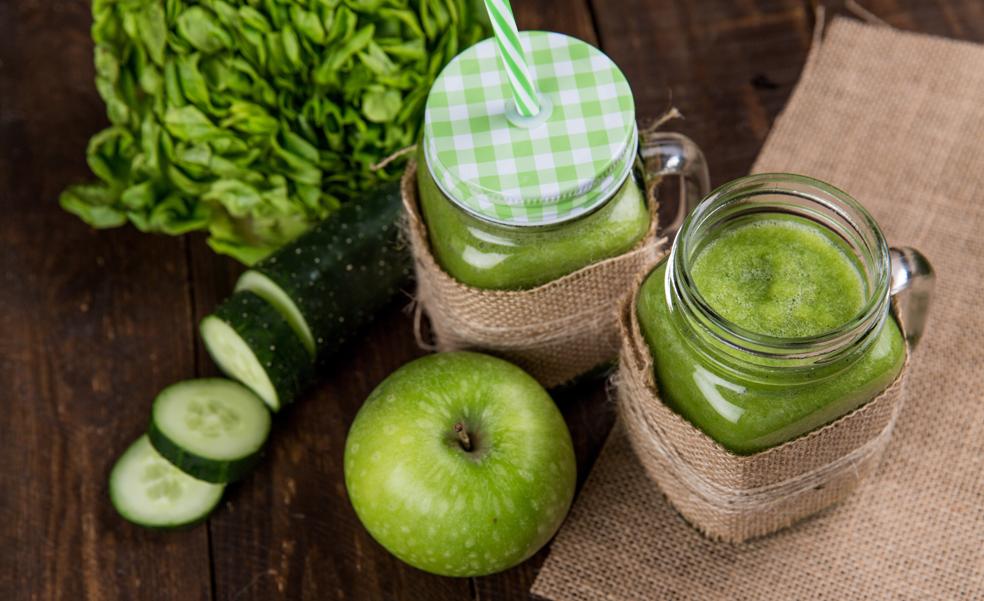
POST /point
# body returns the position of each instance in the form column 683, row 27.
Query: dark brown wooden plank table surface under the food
column 94, row 323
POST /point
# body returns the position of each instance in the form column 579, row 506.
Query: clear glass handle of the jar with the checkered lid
column 669, row 153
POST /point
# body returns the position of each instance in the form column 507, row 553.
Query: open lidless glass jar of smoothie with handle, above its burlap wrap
column 749, row 389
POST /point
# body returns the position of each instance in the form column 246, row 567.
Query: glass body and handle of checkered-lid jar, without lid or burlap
column 484, row 253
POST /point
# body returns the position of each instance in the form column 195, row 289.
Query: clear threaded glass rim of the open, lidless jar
column 855, row 221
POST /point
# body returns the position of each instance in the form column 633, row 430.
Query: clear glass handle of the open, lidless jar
column 913, row 275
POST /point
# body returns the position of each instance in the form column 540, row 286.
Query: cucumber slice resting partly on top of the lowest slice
column 211, row 429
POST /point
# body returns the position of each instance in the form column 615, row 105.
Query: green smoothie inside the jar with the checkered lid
column 491, row 256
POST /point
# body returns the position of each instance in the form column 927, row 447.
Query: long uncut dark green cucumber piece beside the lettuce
column 331, row 280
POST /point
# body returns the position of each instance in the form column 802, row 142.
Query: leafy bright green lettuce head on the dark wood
column 256, row 119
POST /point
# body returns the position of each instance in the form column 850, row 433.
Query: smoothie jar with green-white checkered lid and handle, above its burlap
column 512, row 202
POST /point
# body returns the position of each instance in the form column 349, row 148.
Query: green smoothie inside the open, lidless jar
column 776, row 276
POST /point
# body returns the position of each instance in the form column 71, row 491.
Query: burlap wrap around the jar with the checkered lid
column 556, row 331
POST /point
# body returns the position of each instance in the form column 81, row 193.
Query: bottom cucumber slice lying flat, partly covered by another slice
column 147, row 490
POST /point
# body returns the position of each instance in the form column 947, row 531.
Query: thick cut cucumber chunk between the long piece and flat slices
column 251, row 342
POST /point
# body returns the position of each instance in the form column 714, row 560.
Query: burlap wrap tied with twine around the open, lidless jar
column 735, row 498
